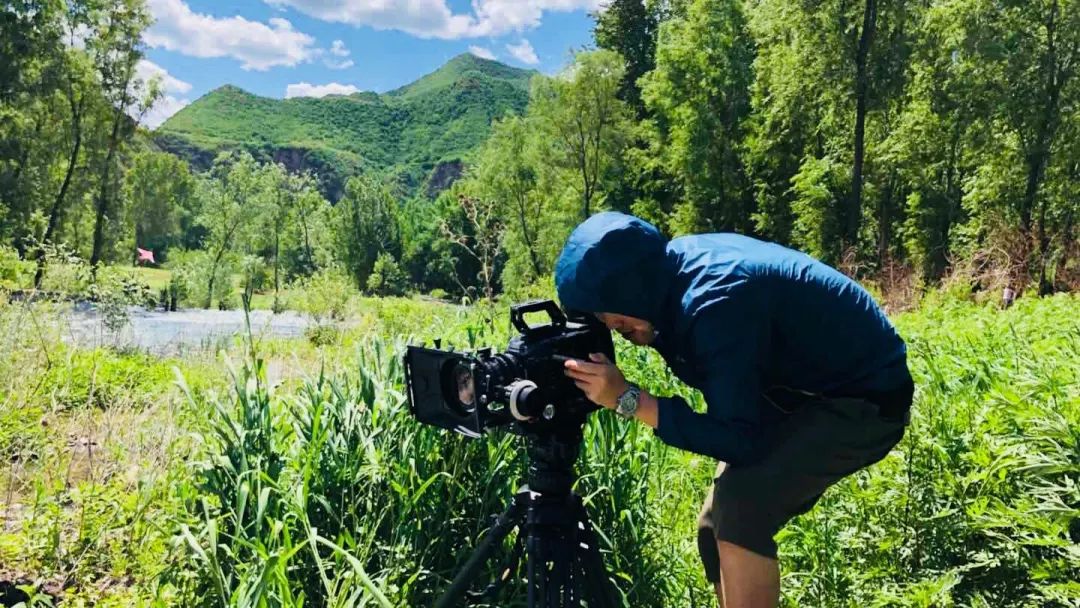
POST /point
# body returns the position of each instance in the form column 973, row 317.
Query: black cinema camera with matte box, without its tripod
column 526, row 385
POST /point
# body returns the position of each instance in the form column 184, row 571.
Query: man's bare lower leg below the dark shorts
column 748, row 580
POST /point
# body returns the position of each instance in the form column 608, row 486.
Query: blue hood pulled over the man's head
column 615, row 263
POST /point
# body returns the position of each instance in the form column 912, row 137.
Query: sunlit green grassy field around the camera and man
column 294, row 476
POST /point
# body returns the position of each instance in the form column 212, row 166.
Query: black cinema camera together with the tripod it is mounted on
column 526, row 390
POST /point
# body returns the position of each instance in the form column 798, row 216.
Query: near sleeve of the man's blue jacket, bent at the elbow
column 731, row 341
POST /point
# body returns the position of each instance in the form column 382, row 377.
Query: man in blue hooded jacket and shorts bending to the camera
column 805, row 380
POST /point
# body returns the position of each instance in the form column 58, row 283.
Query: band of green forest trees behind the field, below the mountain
column 904, row 142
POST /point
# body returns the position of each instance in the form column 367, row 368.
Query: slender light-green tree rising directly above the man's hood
column 588, row 125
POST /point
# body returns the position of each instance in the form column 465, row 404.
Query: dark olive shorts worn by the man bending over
column 813, row 449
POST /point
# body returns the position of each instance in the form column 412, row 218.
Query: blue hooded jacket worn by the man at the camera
column 736, row 318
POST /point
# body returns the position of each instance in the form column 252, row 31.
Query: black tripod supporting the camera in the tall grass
column 564, row 566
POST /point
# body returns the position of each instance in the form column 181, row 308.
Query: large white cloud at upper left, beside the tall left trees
column 259, row 46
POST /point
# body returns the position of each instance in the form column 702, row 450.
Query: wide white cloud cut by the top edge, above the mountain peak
column 434, row 19
